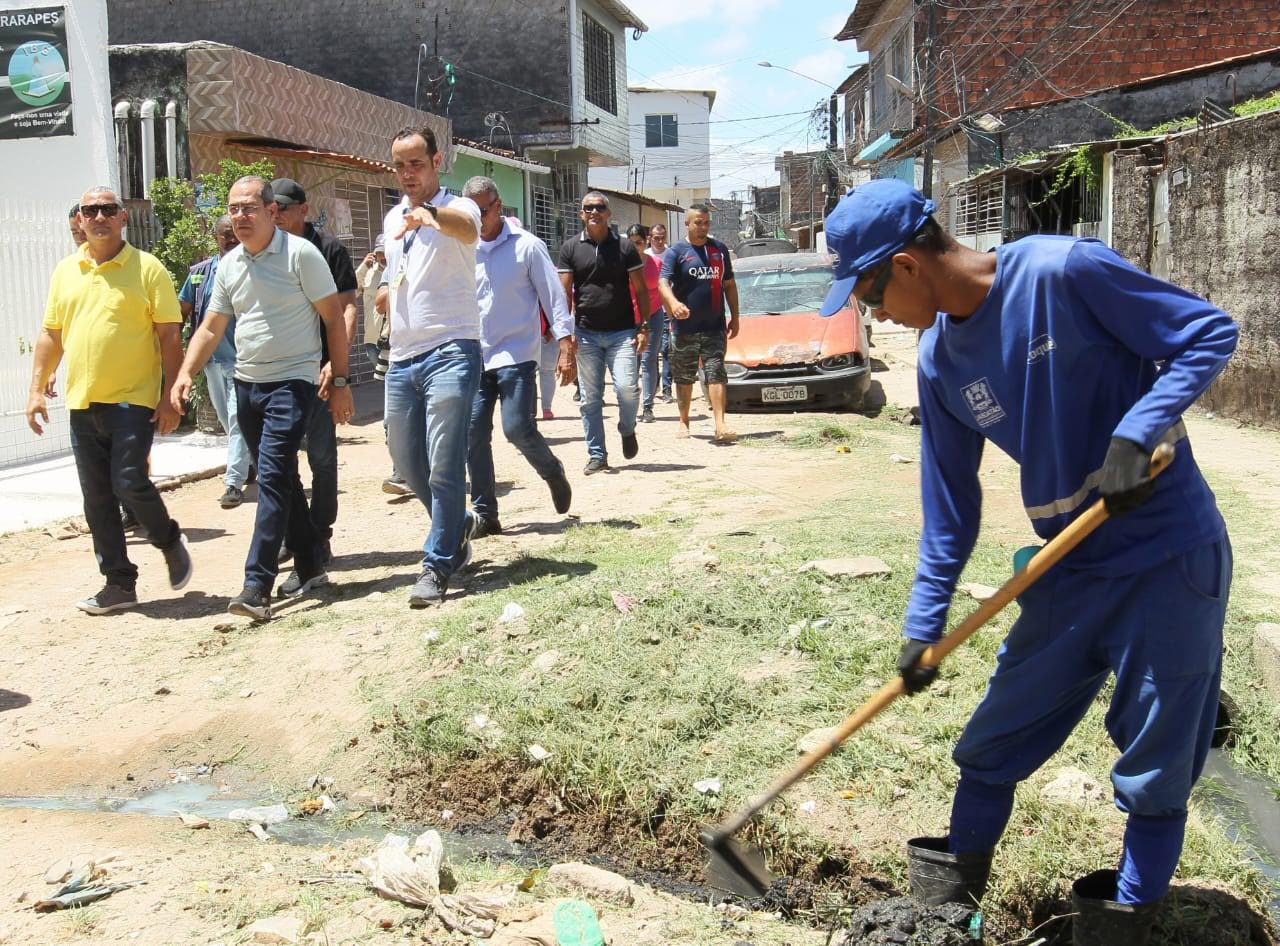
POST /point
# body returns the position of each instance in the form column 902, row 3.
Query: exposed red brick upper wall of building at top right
column 1041, row 51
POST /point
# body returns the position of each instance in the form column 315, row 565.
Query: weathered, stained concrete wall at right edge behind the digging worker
column 1223, row 239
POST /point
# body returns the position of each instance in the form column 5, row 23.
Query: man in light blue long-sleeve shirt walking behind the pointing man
column 514, row 277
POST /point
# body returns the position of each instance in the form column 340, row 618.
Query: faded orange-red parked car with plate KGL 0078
column 788, row 358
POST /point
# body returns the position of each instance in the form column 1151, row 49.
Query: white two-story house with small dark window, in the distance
column 671, row 158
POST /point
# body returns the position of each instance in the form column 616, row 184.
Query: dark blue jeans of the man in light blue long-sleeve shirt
column 516, row 389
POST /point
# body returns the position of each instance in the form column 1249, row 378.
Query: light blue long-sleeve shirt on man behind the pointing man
column 514, row 277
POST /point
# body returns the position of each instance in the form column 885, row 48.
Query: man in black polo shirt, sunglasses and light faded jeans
column 600, row 273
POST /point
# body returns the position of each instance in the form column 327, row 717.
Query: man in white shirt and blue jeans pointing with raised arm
column 436, row 351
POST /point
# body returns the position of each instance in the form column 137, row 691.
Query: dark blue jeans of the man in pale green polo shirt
column 273, row 418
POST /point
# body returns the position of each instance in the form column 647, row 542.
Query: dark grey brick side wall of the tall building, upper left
column 374, row 47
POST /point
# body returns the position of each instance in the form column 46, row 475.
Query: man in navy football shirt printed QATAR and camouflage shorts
column 697, row 280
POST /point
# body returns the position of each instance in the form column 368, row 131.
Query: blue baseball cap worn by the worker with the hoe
column 870, row 225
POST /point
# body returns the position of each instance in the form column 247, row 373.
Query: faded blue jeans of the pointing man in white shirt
column 428, row 415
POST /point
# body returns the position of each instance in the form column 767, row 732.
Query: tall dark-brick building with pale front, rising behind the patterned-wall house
column 546, row 79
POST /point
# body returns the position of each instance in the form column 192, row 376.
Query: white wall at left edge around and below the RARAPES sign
column 43, row 179
